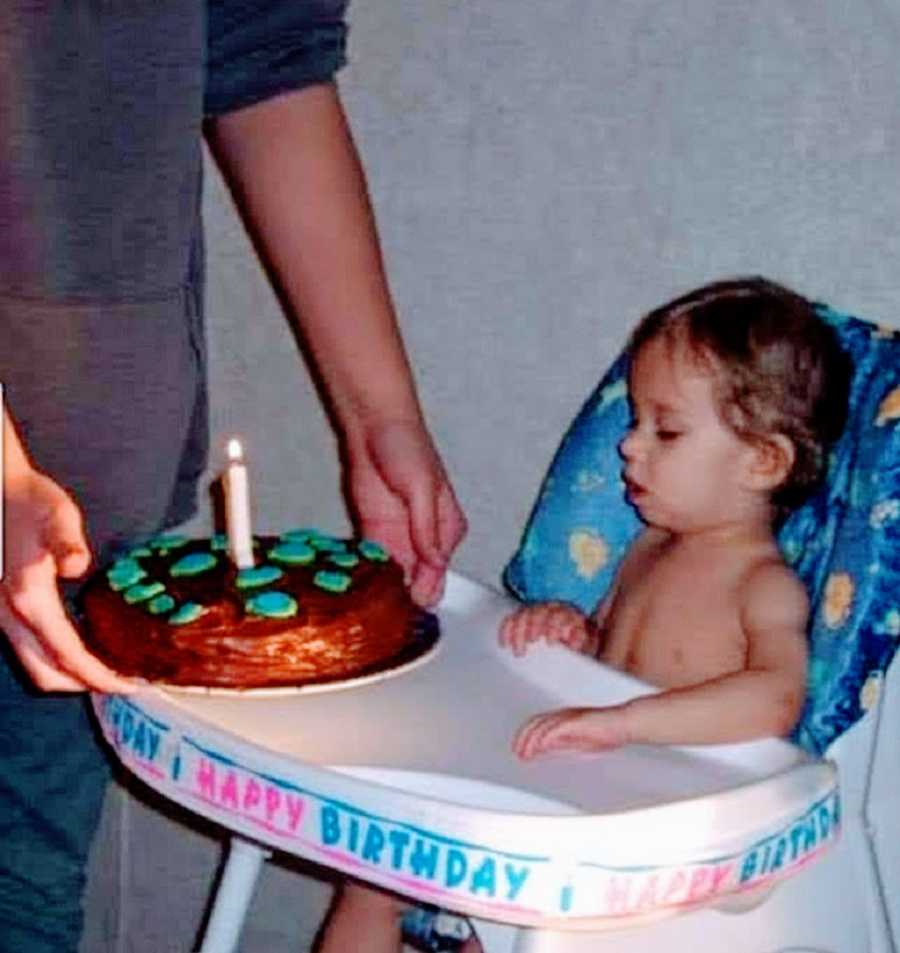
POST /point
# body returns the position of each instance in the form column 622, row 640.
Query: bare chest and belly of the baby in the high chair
column 676, row 621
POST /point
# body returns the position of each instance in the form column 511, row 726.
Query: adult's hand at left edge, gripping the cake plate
column 45, row 540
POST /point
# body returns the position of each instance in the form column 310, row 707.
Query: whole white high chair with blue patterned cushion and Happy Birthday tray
column 309, row 775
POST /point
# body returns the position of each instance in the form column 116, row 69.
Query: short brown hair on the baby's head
column 777, row 367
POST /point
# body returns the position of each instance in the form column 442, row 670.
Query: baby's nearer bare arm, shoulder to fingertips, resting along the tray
column 762, row 700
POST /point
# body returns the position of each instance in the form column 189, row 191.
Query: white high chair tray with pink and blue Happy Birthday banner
column 410, row 783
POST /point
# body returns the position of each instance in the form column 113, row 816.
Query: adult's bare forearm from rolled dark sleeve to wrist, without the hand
column 294, row 168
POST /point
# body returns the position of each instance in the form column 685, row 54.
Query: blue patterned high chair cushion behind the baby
column 844, row 542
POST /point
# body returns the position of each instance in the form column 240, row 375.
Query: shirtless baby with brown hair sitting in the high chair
column 736, row 391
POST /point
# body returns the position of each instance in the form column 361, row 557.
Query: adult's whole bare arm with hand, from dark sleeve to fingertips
column 293, row 167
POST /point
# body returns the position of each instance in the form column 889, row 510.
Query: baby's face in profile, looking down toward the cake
column 685, row 468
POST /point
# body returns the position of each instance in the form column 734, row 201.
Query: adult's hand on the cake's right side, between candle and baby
column 402, row 498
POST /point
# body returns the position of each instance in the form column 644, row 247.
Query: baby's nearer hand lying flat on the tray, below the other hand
column 571, row 729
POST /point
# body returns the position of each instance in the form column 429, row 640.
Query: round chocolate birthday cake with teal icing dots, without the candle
column 313, row 609
